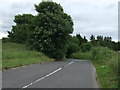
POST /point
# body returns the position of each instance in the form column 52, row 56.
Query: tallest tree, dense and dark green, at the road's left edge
column 52, row 29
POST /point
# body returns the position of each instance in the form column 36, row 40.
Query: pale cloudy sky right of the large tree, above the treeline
column 94, row 18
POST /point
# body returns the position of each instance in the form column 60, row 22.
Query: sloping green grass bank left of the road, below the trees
column 14, row 55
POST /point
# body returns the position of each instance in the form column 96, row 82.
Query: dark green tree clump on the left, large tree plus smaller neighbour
column 47, row 32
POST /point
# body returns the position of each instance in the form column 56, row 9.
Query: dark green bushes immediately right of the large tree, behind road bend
column 77, row 43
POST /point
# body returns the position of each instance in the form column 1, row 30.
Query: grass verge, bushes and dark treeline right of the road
column 103, row 52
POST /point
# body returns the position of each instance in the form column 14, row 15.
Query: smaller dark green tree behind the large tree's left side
column 22, row 30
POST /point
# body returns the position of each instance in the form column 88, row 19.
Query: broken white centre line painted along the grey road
column 45, row 76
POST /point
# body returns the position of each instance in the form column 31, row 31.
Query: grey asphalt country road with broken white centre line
column 71, row 73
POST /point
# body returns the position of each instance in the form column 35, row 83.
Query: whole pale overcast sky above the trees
column 97, row 17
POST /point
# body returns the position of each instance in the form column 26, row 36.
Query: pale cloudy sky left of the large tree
column 12, row 9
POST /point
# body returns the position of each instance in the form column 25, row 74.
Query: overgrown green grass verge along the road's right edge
column 106, row 64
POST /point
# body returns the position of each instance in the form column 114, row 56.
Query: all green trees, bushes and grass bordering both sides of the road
column 35, row 38
